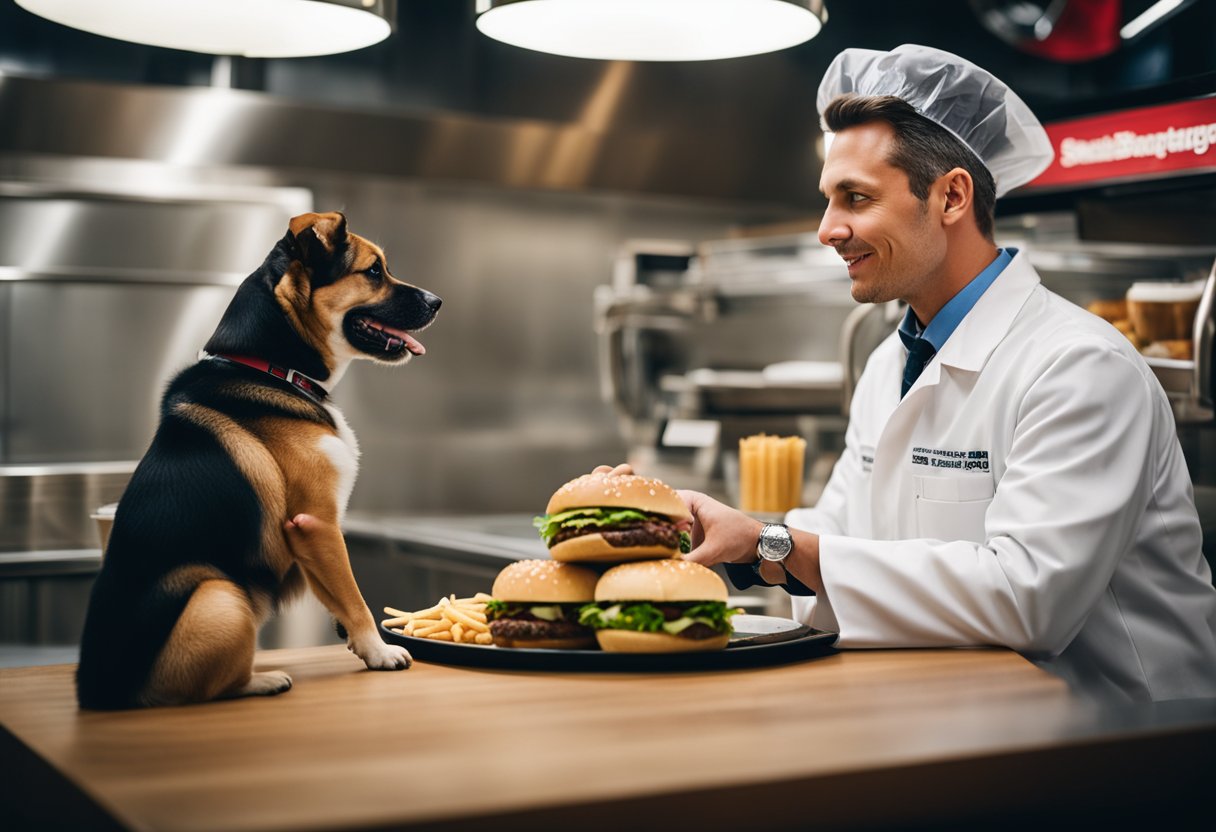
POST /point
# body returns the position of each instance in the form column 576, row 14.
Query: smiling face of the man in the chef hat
column 892, row 241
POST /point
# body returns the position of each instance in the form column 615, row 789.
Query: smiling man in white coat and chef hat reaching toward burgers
column 1012, row 475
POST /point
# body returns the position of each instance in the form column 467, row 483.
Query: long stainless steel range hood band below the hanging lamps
column 204, row 127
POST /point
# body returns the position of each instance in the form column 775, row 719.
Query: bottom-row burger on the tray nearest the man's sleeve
column 660, row 608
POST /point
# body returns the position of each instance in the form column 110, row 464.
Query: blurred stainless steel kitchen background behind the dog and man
column 626, row 250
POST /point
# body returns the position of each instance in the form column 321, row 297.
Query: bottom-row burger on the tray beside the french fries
column 536, row 604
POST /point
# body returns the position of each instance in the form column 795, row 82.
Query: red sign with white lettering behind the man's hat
column 1135, row 144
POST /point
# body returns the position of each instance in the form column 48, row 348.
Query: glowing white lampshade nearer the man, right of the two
column 652, row 30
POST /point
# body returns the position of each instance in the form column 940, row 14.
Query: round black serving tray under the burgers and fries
column 747, row 650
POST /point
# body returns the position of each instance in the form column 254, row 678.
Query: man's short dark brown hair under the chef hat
column 924, row 150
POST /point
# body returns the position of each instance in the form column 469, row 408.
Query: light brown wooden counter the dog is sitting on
column 881, row 738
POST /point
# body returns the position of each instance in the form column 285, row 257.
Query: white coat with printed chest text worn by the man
column 1028, row 492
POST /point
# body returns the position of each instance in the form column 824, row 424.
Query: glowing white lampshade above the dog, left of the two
column 250, row 29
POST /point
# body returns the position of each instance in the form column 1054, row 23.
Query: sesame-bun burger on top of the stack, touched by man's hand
column 605, row 518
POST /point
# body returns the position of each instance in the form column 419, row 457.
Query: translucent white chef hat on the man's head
column 971, row 103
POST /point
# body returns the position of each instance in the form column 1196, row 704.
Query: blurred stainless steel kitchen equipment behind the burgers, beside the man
column 703, row 345
